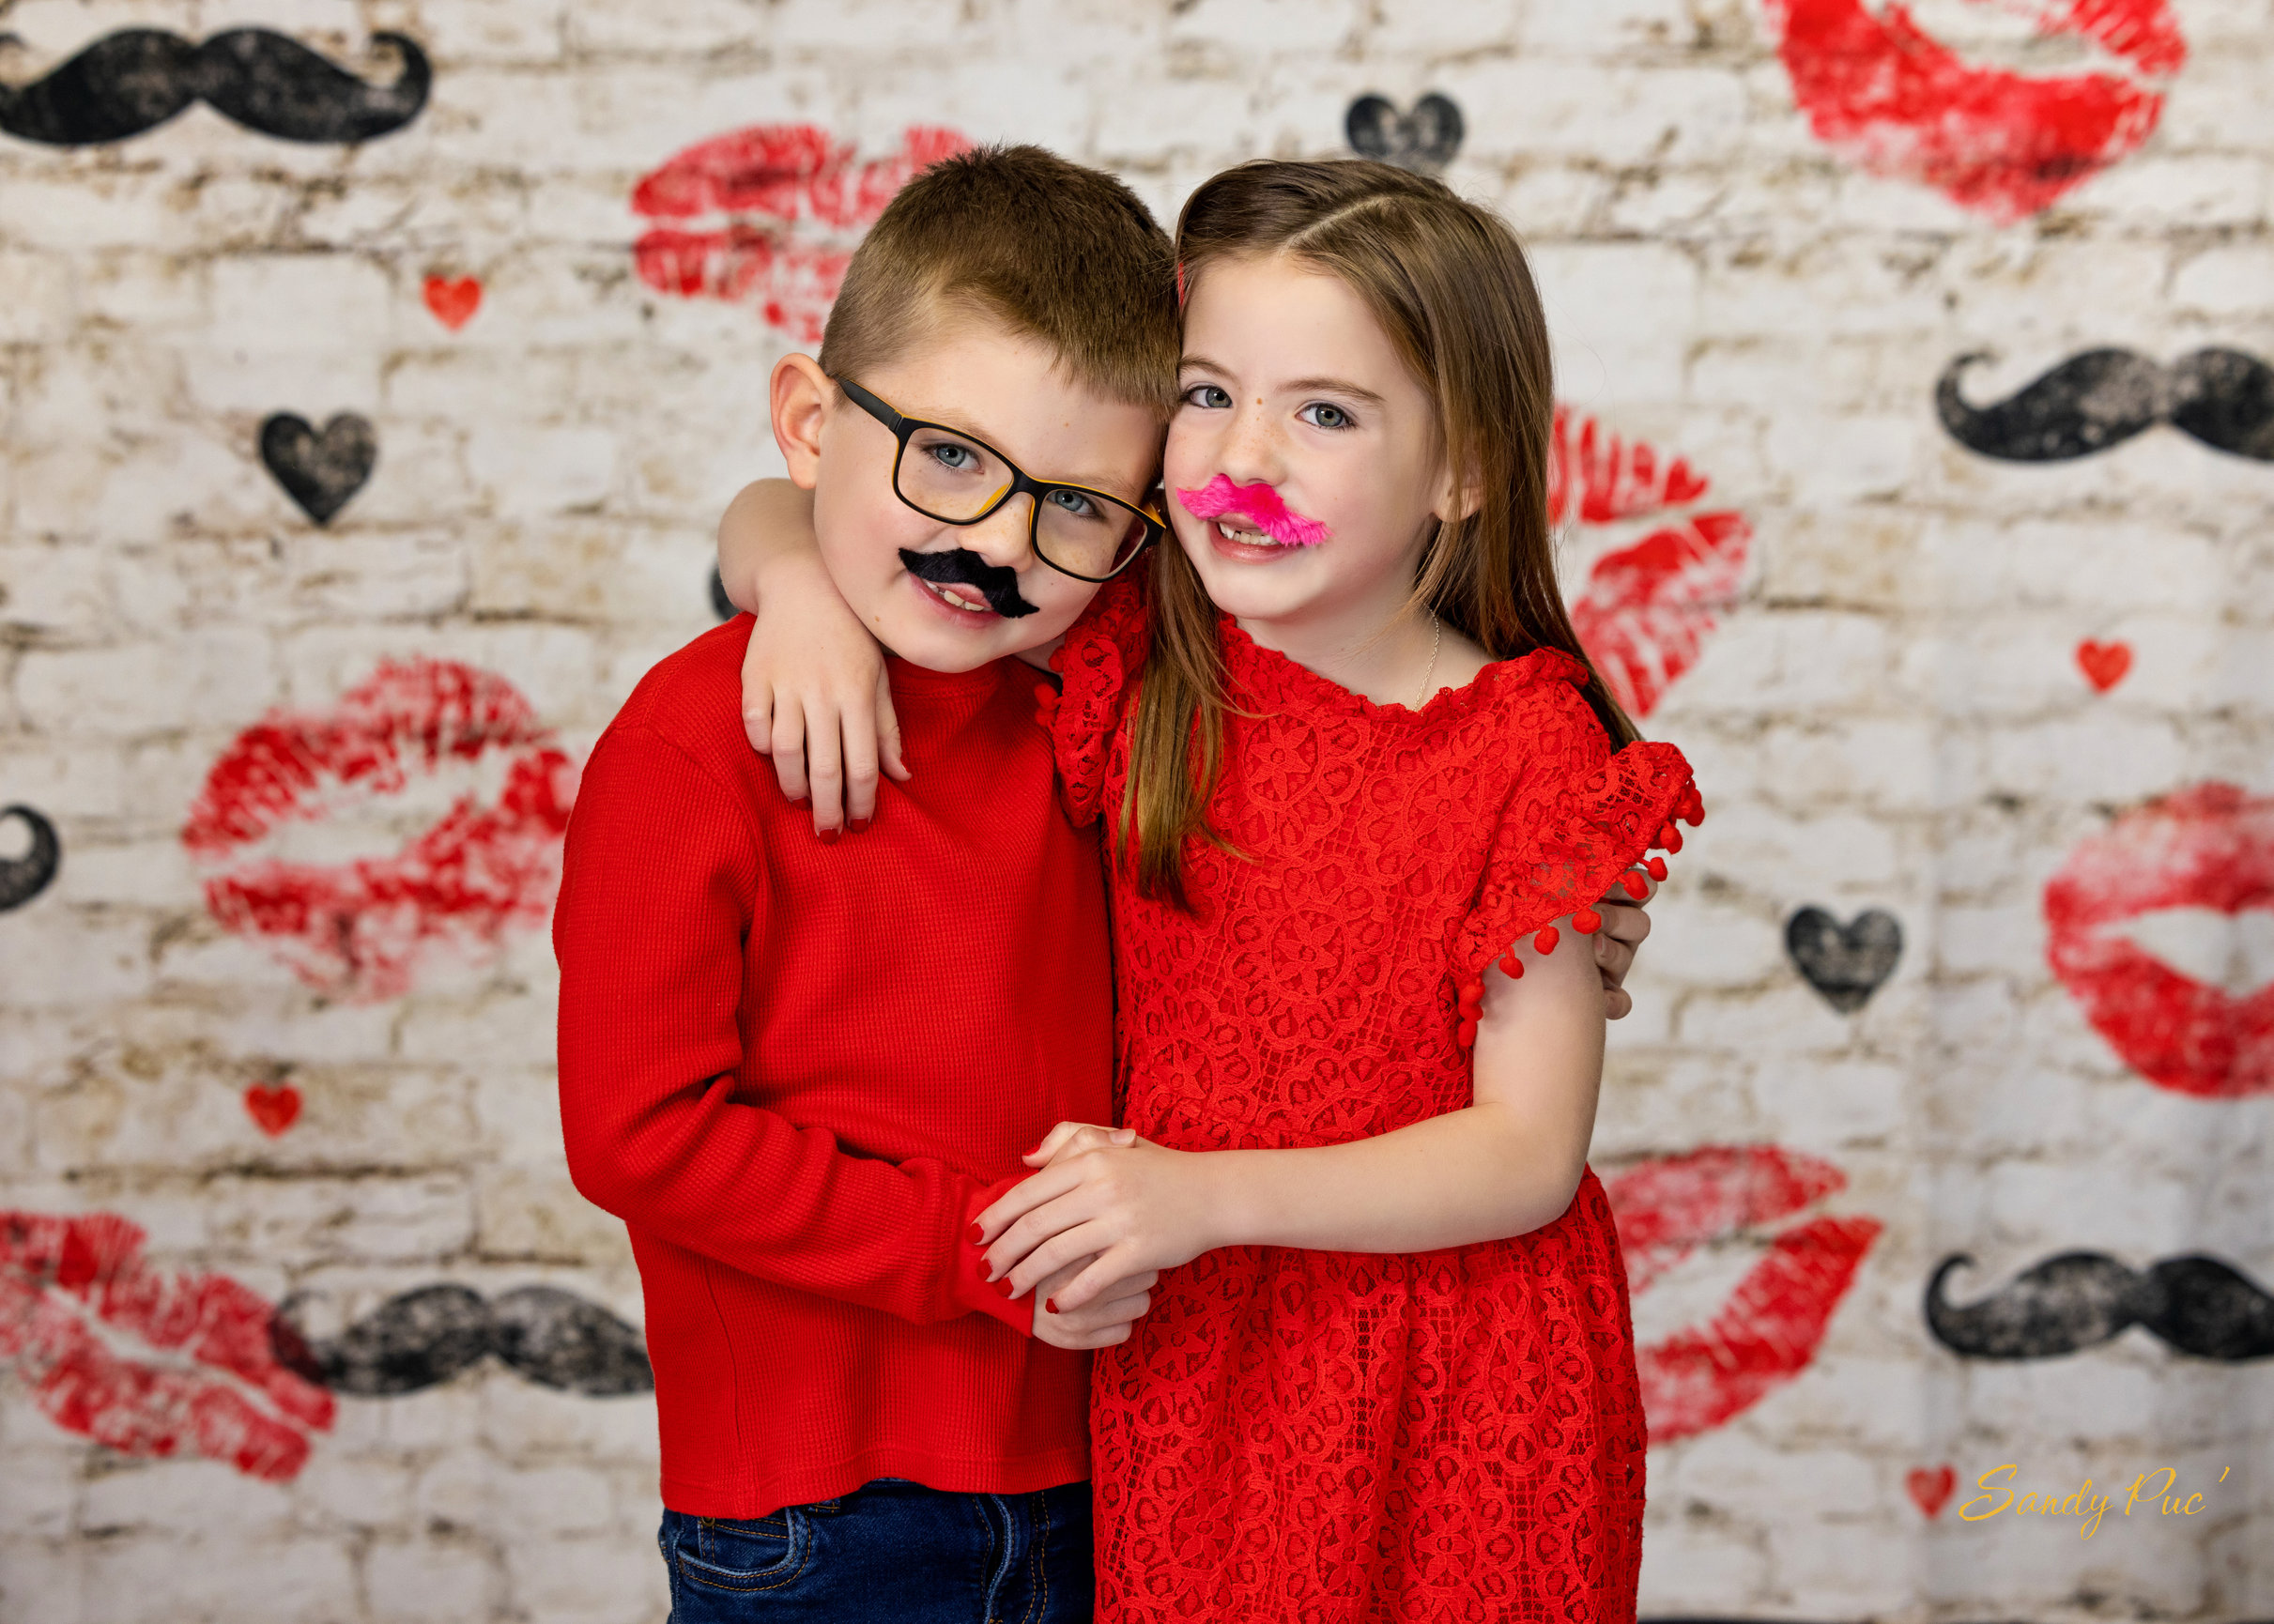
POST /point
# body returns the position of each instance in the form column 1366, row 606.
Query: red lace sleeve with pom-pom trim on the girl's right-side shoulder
column 1577, row 820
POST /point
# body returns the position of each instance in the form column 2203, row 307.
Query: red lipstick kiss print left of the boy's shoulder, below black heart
column 360, row 929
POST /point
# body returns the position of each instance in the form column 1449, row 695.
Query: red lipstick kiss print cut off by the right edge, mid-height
column 2177, row 875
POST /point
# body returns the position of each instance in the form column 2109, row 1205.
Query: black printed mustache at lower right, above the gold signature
column 2080, row 1300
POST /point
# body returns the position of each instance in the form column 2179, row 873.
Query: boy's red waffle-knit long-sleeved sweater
column 797, row 1072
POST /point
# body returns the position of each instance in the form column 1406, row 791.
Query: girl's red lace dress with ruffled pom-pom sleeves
column 1354, row 1436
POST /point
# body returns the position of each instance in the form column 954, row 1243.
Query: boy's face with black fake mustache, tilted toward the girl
column 929, row 590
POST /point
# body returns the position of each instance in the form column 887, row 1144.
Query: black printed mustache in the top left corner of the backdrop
column 142, row 76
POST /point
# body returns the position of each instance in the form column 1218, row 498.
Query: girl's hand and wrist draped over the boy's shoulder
column 815, row 695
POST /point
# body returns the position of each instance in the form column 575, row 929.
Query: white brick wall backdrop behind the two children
column 1891, row 715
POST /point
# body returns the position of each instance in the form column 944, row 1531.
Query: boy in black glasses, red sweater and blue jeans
column 802, row 1068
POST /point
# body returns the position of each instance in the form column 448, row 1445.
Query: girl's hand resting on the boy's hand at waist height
column 1129, row 1209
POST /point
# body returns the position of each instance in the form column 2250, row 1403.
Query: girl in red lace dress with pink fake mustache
column 1359, row 777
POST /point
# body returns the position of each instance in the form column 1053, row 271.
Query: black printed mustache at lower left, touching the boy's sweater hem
column 429, row 1336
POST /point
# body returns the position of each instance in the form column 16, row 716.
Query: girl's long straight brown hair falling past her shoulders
column 1452, row 290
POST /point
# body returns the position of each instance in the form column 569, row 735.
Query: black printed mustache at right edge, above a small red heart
column 2100, row 399
